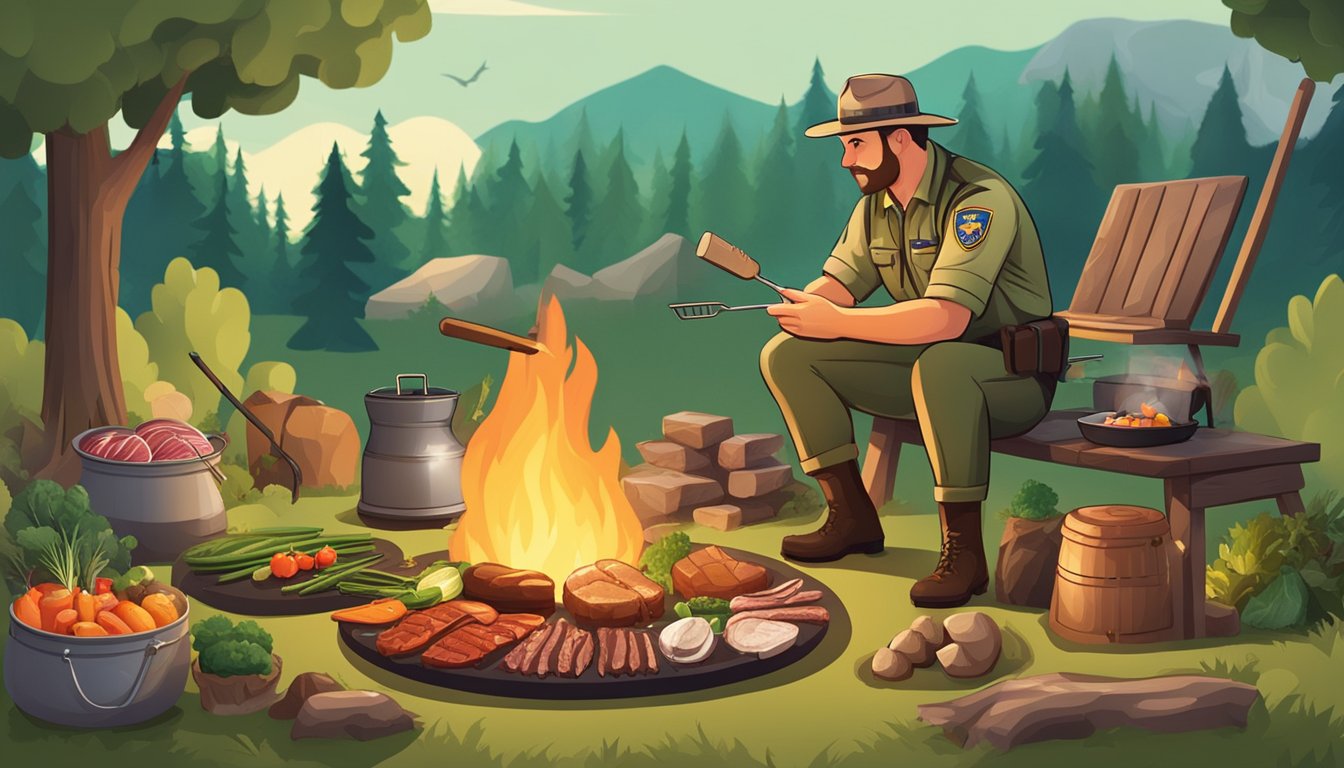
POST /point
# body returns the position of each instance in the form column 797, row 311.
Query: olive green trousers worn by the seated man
column 960, row 393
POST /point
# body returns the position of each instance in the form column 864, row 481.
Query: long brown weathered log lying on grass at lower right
column 1068, row 705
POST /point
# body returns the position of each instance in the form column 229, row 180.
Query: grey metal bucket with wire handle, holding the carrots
column 97, row 683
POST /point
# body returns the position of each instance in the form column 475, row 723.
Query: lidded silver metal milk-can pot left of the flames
column 413, row 462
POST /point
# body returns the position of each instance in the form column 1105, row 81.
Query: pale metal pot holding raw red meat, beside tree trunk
column 169, row 506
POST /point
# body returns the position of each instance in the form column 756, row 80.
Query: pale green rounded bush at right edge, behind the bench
column 1299, row 388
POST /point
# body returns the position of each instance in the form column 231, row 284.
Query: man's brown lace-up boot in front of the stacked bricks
column 851, row 524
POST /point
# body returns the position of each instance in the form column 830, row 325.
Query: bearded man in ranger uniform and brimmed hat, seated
column 956, row 248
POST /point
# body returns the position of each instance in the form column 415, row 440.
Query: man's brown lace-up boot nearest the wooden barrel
column 962, row 570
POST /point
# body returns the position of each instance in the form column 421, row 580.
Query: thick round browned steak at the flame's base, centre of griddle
column 612, row 594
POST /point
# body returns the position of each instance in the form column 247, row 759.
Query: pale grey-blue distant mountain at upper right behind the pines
column 1177, row 65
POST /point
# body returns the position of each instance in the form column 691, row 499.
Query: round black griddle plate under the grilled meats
column 724, row 666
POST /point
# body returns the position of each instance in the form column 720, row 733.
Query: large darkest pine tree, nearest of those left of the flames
column 335, row 241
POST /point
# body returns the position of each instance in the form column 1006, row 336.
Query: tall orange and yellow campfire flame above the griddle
column 538, row 497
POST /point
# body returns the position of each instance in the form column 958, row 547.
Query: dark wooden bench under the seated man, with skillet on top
column 1213, row 469
